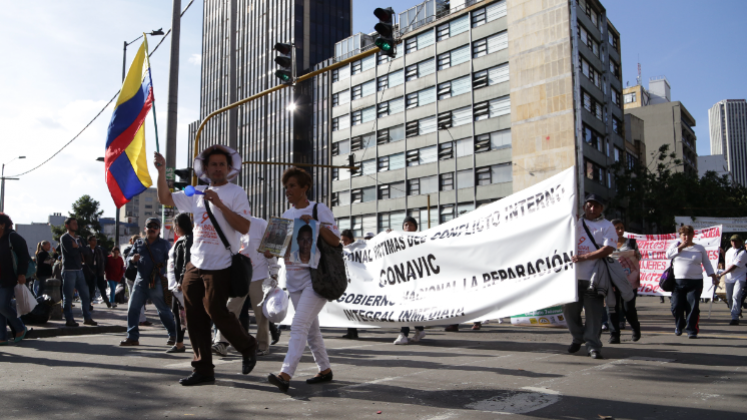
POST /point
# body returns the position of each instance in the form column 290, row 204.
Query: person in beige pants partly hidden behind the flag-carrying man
column 263, row 268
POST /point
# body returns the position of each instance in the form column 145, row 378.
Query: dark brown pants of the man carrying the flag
column 205, row 298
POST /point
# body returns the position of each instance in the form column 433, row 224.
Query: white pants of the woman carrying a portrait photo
column 305, row 327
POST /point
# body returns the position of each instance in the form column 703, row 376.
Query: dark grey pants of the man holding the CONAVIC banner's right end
column 593, row 305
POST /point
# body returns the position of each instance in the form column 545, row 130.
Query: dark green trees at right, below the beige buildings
column 655, row 196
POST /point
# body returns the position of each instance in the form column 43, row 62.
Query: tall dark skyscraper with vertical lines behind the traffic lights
column 265, row 130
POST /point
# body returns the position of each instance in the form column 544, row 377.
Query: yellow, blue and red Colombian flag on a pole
column 125, row 159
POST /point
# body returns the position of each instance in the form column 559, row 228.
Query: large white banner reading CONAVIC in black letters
column 510, row 257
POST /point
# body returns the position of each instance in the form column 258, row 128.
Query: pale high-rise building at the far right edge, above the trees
column 727, row 122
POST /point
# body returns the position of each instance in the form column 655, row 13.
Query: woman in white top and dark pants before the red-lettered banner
column 688, row 258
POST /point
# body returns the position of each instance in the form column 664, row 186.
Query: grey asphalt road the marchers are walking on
column 498, row 372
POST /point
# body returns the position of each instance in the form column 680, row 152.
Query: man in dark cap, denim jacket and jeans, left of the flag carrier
column 150, row 256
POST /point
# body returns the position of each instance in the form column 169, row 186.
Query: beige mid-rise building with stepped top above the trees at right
column 664, row 121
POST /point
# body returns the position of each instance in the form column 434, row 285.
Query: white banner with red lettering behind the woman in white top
column 654, row 260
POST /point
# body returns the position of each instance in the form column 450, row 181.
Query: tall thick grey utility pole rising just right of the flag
column 173, row 101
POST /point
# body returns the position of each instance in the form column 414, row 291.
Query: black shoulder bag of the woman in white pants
column 330, row 278
